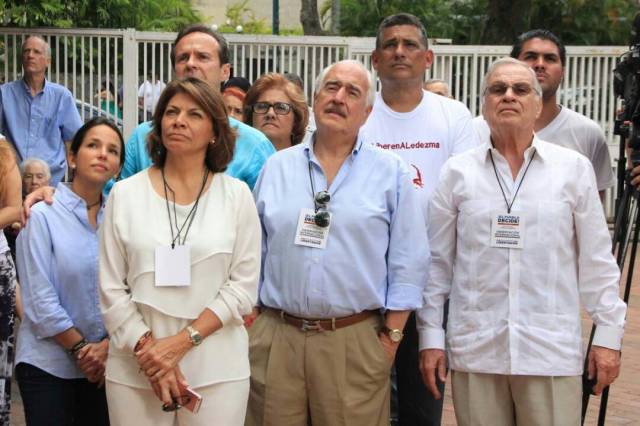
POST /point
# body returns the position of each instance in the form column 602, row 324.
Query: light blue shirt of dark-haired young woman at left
column 57, row 259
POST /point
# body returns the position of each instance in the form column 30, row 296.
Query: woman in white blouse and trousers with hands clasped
column 179, row 267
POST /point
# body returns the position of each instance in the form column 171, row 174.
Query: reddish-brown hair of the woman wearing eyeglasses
column 293, row 92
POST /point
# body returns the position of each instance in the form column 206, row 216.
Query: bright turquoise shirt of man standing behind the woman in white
column 252, row 149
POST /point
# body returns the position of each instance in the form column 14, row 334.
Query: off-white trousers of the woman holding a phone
column 222, row 404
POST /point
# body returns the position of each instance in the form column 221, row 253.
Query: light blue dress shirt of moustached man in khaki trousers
column 377, row 254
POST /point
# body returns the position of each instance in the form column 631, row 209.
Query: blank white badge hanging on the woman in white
column 173, row 266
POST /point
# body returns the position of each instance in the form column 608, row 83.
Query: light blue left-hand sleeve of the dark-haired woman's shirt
column 40, row 297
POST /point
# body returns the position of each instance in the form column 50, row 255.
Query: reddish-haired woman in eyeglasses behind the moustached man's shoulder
column 276, row 107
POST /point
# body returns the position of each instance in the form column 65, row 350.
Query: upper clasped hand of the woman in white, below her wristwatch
column 161, row 356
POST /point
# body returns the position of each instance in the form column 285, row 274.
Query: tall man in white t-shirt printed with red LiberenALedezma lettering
column 425, row 130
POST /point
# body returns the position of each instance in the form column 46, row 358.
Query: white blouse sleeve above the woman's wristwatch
column 238, row 295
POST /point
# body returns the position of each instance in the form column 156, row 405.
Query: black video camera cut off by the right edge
column 626, row 85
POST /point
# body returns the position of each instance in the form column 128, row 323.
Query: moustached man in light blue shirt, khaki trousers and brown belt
column 345, row 257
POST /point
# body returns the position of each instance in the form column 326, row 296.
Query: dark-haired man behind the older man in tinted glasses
column 546, row 55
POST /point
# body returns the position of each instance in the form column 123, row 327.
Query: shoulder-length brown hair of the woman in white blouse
column 220, row 153
